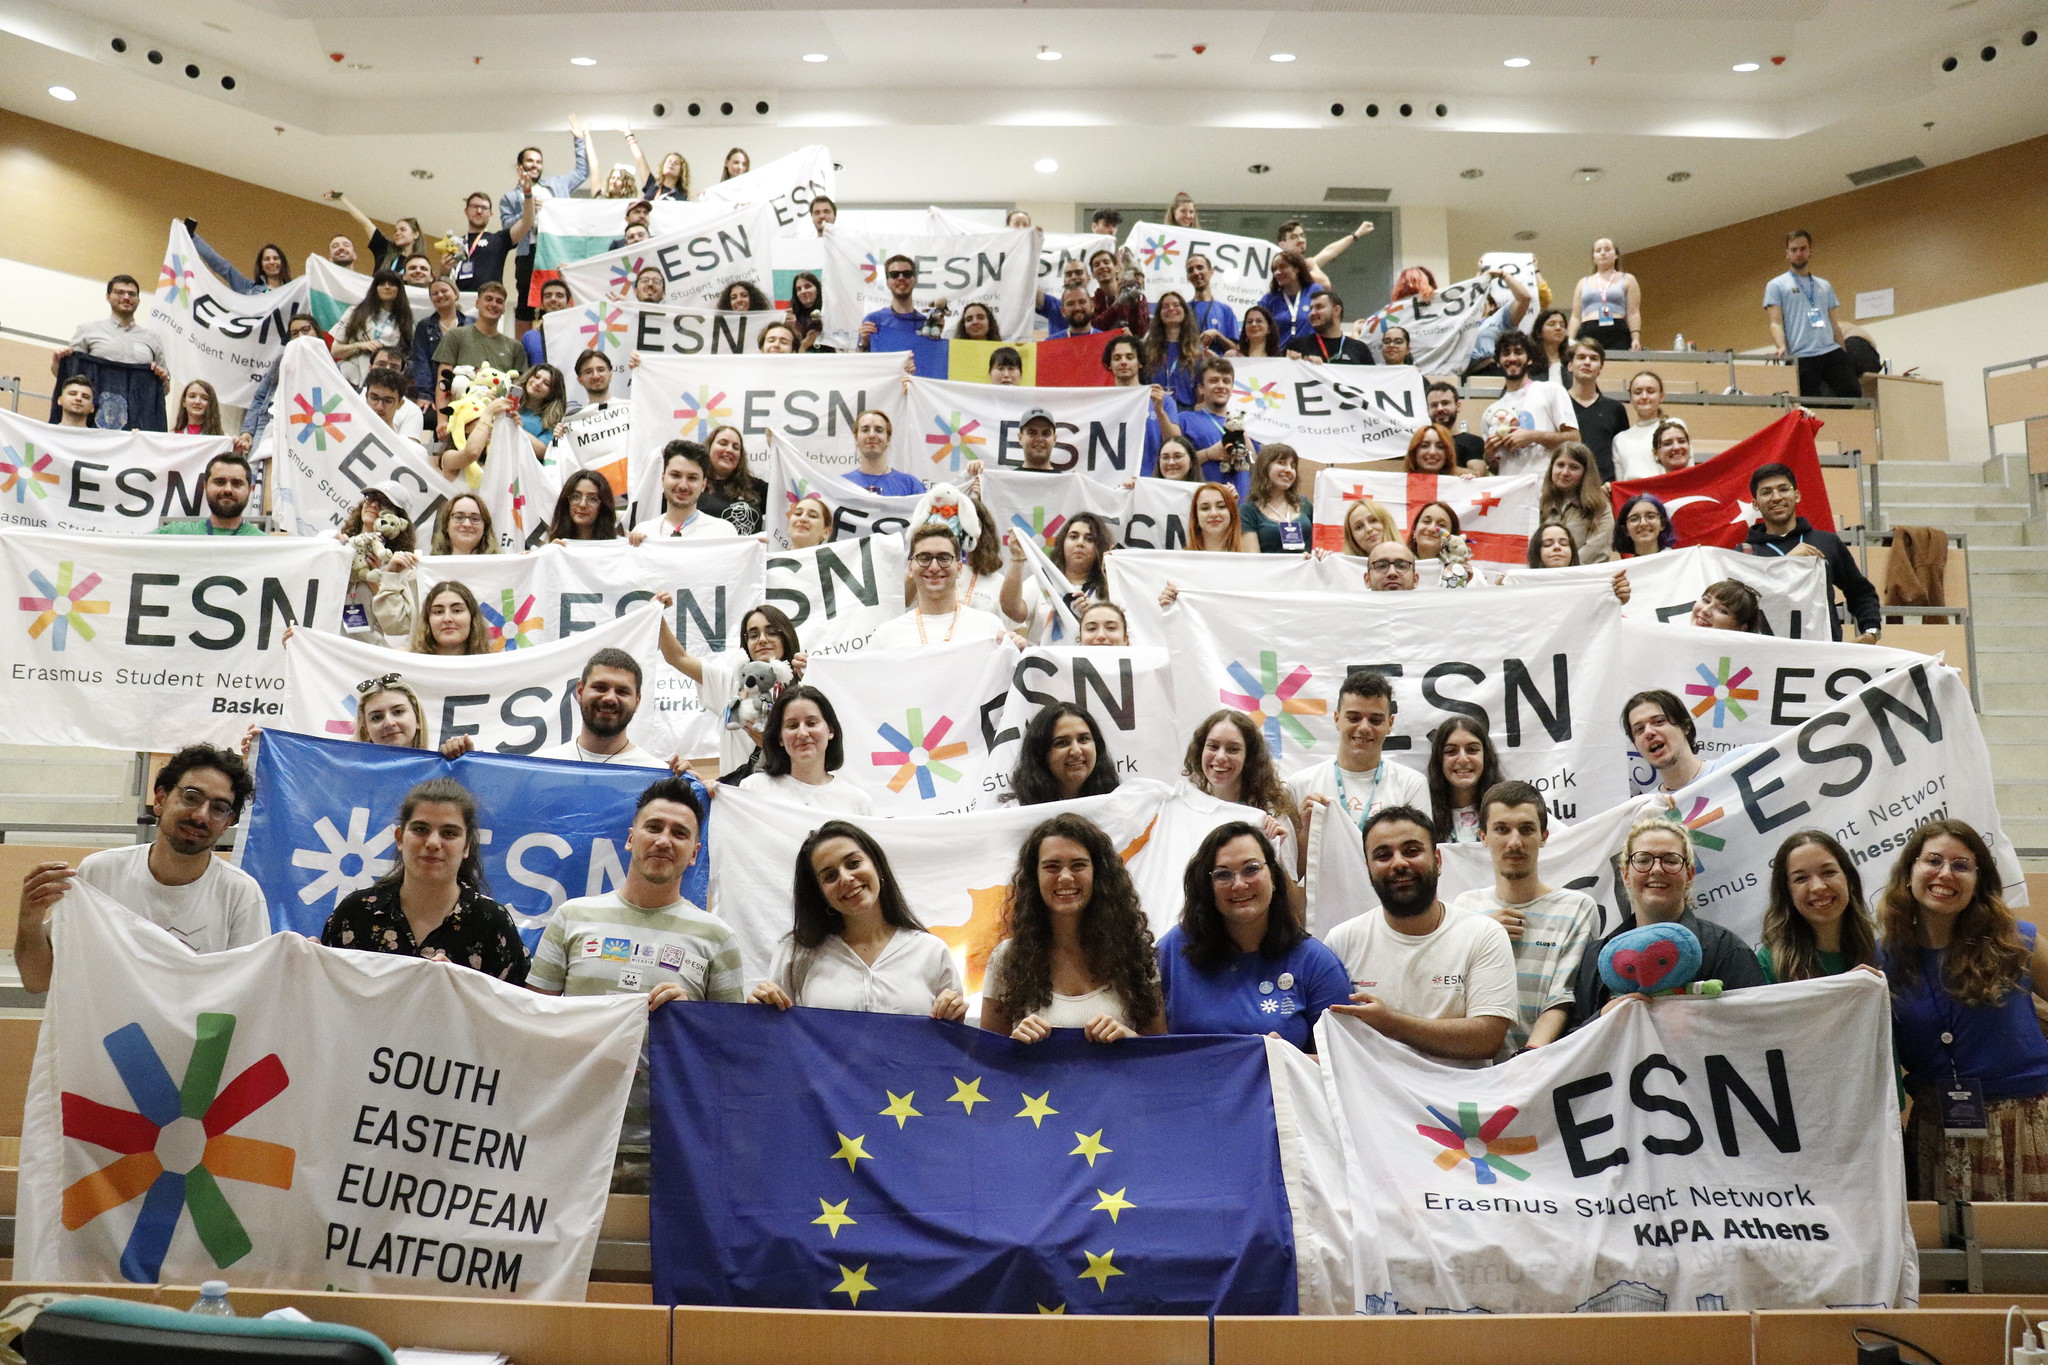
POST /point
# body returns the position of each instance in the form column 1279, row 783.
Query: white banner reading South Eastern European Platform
column 292, row 1116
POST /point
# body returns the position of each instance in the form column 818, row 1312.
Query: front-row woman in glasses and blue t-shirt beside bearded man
column 1240, row 961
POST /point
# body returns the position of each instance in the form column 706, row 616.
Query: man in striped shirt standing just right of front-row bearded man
column 1547, row 926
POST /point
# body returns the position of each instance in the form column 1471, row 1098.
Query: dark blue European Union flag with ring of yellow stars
column 830, row 1159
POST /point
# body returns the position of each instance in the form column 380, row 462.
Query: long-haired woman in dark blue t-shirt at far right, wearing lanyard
column 1963, row 973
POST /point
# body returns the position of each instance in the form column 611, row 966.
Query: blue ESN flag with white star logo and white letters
column 325, row 813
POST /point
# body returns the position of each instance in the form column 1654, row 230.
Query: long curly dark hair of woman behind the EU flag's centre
column 1115, row 934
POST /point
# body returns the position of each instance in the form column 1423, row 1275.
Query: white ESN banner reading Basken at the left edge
column 157, row 642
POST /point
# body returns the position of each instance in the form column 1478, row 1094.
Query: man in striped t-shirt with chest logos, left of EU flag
column 644, row 940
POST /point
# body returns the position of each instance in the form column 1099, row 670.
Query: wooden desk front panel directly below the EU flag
column 779, row 1337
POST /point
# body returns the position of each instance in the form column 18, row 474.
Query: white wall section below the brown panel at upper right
column 1955, row 345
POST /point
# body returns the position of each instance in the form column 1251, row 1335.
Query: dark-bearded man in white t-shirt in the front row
column 1443, row 981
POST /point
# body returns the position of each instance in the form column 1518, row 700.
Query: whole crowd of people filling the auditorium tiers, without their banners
column 1474, row 981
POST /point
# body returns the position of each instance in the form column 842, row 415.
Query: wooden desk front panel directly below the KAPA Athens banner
column 1492, row 1339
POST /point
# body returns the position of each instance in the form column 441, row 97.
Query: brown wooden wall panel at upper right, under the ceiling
column 1936, row 238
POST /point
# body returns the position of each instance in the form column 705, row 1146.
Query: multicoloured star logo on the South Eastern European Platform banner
column 177, row 1145
